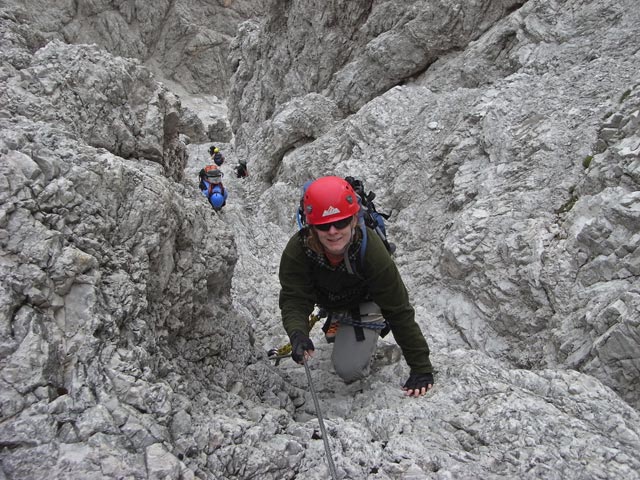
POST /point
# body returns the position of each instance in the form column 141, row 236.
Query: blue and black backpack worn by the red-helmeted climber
column 368, row 215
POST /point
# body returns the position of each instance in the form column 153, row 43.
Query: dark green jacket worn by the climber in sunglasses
column 307, row 279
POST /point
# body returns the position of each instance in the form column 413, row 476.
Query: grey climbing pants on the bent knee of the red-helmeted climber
column 352, row 358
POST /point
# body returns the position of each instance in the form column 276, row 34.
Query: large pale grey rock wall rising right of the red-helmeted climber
column 511, row 165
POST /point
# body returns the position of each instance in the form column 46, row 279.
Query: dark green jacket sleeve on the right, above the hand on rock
column 388, row 291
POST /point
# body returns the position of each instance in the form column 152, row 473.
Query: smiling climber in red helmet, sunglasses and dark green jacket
column 364, row 296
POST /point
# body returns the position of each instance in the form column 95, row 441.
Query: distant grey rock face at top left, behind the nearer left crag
column 186, row 42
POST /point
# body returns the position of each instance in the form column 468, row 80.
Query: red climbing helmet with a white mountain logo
column 329, row 199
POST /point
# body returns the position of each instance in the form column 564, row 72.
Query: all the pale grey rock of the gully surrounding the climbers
column 133, row 320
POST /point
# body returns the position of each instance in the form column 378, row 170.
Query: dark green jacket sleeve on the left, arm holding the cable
column 297, row 295
